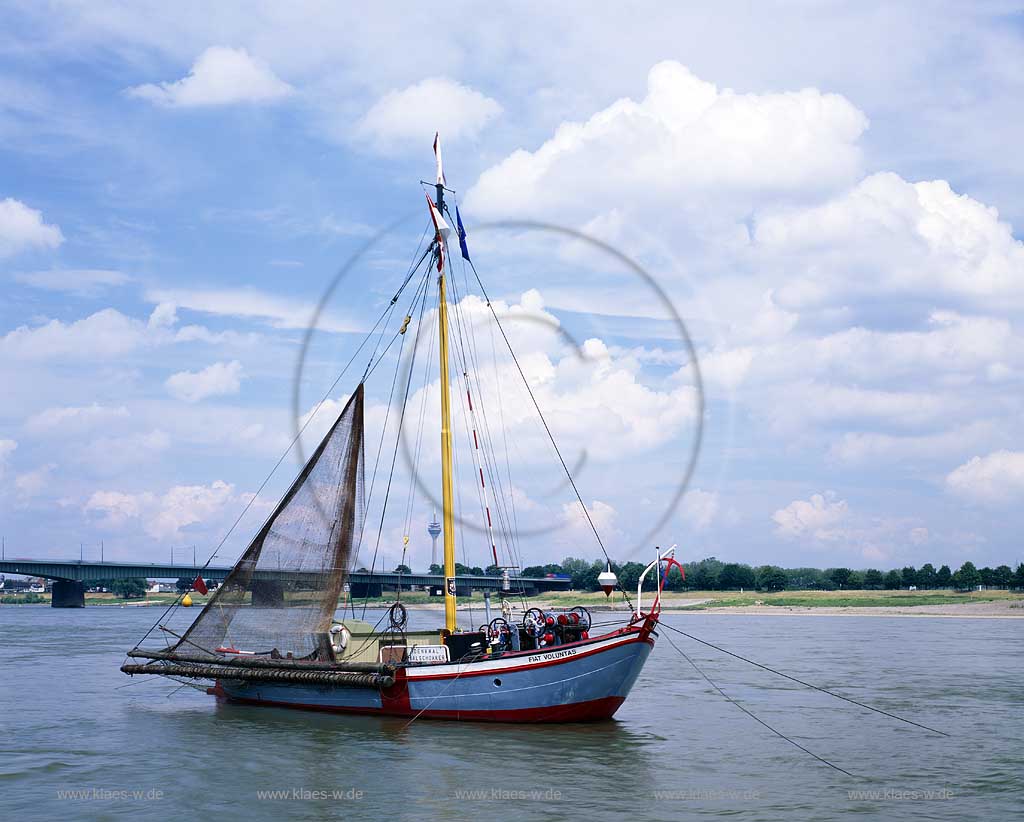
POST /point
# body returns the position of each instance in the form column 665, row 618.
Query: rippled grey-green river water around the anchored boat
column 81, row 741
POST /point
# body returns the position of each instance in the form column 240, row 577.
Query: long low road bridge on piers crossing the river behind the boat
column 71, row 579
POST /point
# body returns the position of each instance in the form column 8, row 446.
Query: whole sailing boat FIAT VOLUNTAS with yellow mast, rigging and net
column 270, row 635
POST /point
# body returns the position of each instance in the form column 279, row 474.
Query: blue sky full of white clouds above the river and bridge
column 826, row 194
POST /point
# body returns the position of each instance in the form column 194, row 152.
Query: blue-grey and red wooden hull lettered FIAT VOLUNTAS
column 581, row 682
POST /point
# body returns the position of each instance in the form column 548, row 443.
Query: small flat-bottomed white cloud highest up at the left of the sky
column 221, row 76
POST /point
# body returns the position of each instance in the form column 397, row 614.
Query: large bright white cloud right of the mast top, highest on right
column 687, row 139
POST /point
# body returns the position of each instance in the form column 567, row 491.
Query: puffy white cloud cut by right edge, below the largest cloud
column 890, row 236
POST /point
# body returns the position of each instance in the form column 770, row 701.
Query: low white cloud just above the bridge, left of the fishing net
column 163, row 516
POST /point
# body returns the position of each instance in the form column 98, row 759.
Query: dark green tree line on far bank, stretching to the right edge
column 713, row 575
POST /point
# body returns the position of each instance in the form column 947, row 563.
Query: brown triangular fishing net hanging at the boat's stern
column 281, row 596
